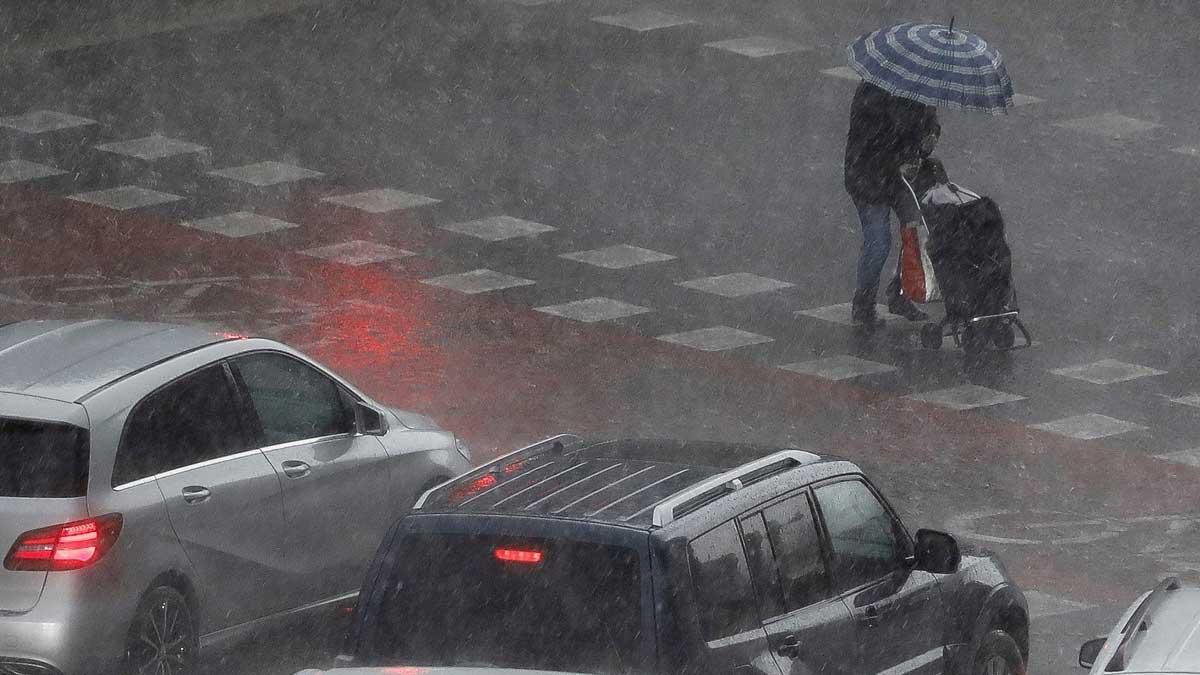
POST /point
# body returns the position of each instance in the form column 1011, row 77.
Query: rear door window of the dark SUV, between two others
column 799, row 552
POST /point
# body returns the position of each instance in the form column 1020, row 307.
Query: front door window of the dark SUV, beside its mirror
column 866, row 540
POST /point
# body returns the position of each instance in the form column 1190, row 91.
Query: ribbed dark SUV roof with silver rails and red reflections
column 639, row 483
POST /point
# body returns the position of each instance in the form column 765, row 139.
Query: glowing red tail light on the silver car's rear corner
column 71, row 546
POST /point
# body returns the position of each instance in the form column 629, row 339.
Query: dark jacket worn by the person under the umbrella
column 885, row 133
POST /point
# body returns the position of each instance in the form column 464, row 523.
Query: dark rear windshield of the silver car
column 43, row 459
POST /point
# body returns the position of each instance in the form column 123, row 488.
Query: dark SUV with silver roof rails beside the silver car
column 663, row 557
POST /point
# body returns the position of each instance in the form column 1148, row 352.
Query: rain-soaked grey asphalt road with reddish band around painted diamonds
column 729, row 165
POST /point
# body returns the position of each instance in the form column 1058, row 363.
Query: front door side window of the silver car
column 292, row 399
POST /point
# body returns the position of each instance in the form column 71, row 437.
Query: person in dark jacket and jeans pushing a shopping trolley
column 886, row 133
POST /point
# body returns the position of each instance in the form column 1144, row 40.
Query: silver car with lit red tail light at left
column 166, row 491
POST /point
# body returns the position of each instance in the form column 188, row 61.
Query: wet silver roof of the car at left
column 68, row 361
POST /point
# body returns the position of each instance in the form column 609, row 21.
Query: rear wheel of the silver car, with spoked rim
column 163, row 637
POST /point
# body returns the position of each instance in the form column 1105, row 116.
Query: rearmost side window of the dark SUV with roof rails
column 722, row 581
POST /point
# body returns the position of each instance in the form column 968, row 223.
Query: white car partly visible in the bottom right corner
column 1159, row 635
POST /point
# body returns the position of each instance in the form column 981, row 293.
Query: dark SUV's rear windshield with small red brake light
column 545, row 605
